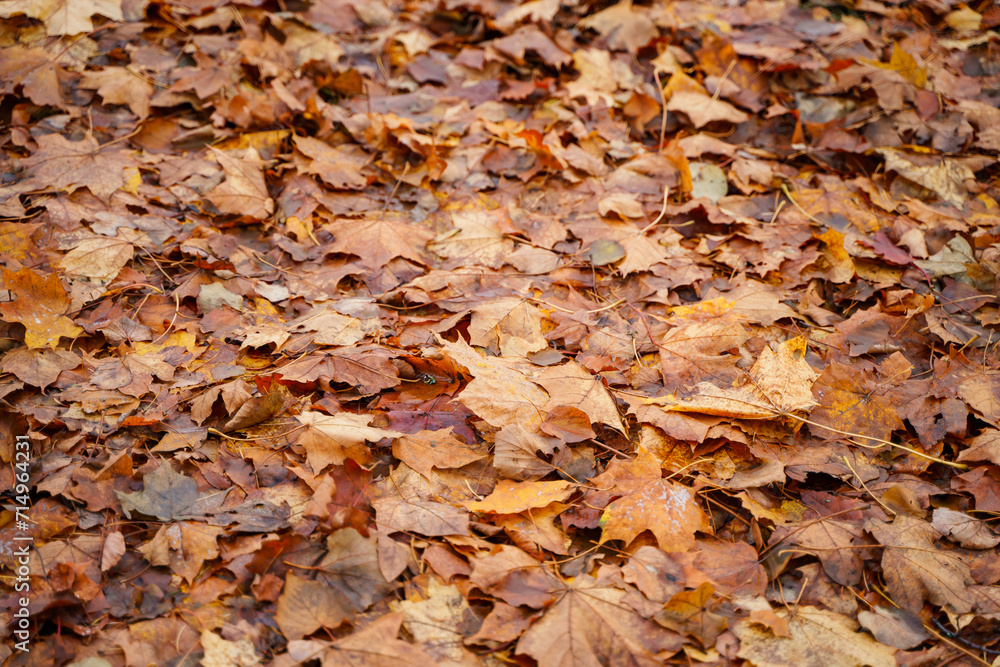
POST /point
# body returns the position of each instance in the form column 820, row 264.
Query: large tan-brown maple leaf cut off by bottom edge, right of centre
column 589, row 625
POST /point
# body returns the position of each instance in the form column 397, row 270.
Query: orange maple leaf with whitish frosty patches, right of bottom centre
column 649, row 502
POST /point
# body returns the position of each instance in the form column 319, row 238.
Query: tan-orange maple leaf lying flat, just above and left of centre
column 378, row 240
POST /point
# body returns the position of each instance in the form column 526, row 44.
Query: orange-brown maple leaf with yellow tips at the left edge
column 41, row 305
